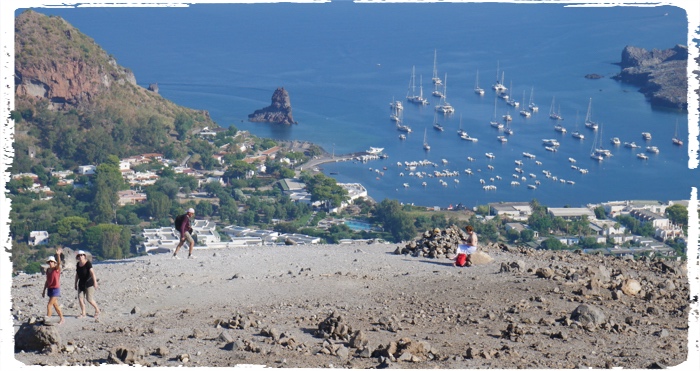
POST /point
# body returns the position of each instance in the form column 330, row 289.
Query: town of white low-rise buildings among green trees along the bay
column 634, row 228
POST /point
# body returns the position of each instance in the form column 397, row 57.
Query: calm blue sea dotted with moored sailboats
column 343, row 63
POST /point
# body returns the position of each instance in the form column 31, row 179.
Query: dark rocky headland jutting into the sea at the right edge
column 660, row 74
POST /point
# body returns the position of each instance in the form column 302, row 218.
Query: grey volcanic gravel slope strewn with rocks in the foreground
column 369, row 306
